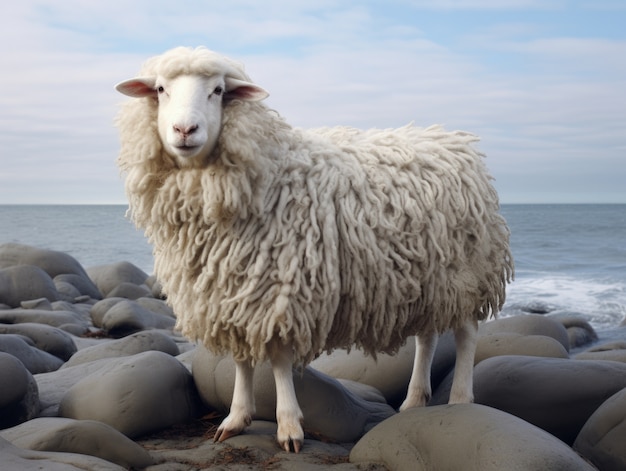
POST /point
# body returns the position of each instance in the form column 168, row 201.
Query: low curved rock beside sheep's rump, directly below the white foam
column 528, row 324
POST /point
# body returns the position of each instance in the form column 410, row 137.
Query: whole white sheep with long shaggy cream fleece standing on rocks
column 276, row 243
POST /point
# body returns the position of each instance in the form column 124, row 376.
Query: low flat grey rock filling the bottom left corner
column 17, row 459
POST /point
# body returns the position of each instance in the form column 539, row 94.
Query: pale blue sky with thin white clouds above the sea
column 542, row 82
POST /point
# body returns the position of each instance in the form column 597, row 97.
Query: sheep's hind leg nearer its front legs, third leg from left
column 420, row 392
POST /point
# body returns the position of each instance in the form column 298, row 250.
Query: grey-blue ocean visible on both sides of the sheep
column 570, row 259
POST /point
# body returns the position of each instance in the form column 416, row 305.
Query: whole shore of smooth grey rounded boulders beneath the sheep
column 93, row 377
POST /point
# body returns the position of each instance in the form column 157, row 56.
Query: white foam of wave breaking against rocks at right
column 601, row 302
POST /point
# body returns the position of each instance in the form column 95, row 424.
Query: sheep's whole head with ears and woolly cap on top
column 190, row 97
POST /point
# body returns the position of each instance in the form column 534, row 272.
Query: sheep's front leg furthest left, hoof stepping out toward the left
column 242, row 406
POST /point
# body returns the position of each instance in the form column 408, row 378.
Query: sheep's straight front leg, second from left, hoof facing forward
column 288, row 414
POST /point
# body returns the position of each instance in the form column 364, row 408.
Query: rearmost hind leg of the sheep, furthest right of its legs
column 466, row 337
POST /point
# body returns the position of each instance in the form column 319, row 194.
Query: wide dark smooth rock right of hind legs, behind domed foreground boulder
column 557, row 395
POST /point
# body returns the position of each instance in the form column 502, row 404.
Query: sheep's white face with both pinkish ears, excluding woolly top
column 190, row 110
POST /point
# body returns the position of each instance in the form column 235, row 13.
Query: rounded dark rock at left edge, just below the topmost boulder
column 25, row 282
